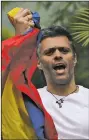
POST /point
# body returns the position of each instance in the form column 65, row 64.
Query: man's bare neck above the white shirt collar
column 62, row 90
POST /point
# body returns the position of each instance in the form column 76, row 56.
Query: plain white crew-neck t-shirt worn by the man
column 72, row 120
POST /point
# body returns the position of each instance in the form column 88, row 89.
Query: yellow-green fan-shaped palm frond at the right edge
column 80, row 27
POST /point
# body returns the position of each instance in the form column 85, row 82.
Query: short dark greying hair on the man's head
column 54, row 31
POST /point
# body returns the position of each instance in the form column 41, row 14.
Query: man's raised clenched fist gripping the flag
column 23, row 21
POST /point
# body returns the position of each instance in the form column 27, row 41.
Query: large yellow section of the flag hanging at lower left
column 16, row 123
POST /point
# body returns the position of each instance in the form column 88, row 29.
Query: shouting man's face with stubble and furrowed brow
column 57, row 60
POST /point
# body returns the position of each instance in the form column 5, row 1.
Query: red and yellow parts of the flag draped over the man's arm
column 16, row 123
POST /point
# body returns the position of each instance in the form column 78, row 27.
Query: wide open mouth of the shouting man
column 59, row 68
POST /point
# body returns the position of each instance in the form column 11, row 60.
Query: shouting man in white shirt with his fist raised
column 64, row 101
